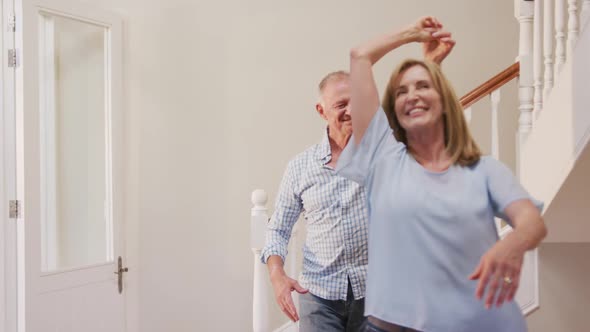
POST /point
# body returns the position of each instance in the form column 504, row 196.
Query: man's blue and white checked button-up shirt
column 335, row 248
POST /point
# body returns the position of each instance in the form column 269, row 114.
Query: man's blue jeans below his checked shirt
column 320, row 315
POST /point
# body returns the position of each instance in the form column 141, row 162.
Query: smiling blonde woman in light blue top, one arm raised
column 434, row 253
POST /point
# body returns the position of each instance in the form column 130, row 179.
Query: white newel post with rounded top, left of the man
column 258, row 221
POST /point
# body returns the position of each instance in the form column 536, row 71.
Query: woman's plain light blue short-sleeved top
column 427, row 233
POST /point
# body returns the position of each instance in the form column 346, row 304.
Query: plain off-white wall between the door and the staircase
column 219, row 96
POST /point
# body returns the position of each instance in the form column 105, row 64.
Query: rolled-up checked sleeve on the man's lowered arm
column 288, row 207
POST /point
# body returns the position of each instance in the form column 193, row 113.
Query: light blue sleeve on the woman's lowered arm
column 504, row 188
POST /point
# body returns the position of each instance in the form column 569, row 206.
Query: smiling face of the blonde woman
column 417, row 103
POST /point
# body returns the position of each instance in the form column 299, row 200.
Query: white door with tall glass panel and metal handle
column 70, row 181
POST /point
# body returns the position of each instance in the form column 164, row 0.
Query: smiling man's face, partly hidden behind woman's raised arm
column 334, row 106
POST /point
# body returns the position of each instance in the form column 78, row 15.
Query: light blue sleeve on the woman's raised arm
column 357, row 161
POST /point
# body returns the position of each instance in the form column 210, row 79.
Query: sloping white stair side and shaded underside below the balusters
column 555, row 158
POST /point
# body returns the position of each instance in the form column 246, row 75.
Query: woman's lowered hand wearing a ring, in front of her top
column 498, row 272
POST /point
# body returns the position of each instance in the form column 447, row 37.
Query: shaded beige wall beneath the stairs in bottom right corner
column 564, row 291
